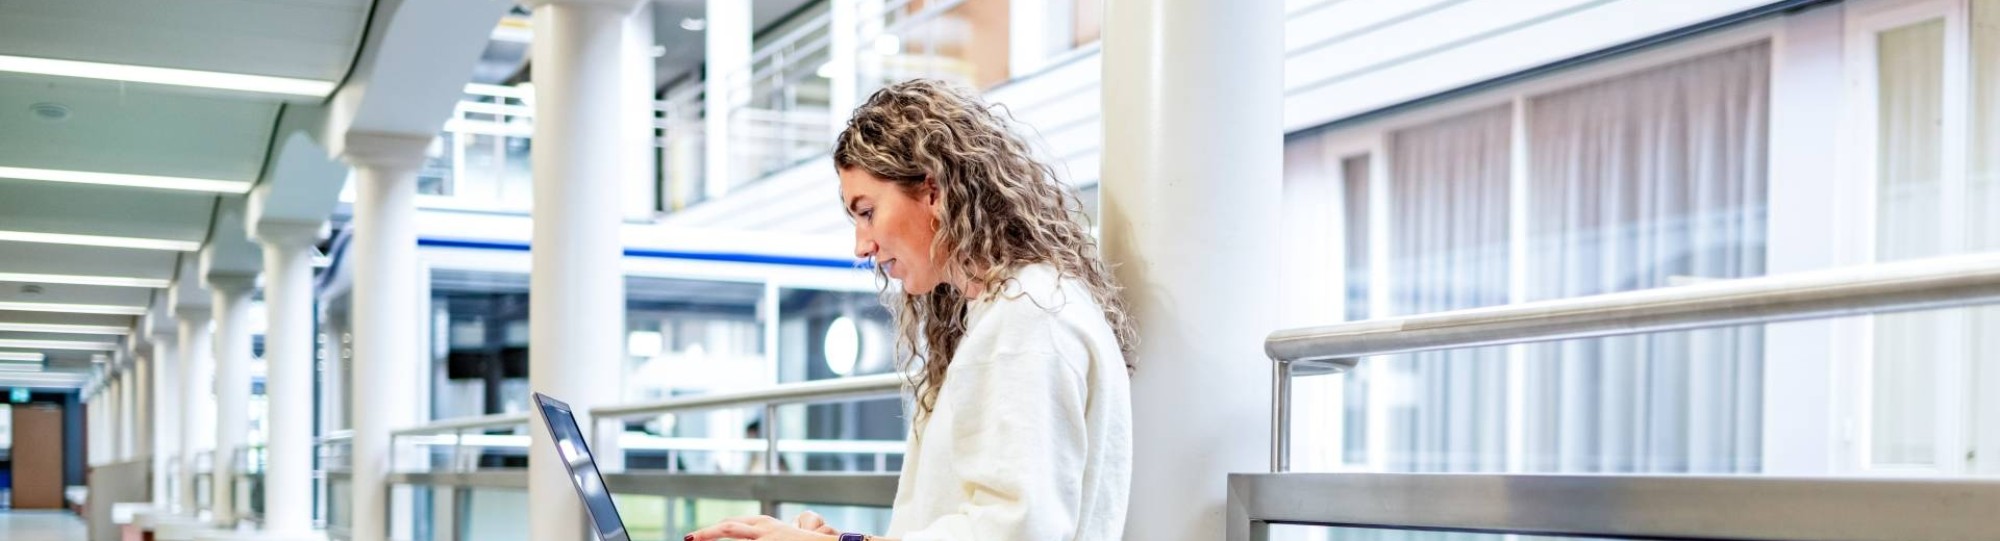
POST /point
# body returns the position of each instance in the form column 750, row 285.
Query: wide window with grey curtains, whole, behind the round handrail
column 1595, row 185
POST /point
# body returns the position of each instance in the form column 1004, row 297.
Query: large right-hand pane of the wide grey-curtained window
column 1649, row 181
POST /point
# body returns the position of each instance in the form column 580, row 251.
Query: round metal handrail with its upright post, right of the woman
column 1885, row 288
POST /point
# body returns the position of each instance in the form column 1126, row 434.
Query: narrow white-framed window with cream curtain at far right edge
column 1927, row 135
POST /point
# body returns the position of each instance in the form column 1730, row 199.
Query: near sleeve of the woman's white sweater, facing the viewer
column 1021, row 438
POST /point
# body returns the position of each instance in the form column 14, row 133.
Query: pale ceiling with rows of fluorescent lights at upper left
column 141, row 129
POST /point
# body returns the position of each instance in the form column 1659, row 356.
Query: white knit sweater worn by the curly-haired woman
column 1031, row 438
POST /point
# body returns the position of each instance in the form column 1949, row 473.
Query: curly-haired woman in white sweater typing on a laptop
column 1009, row 322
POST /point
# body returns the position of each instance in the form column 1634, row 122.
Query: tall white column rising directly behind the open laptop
column 577, row 288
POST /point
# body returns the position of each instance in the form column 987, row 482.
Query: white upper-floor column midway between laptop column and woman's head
column 729, row 87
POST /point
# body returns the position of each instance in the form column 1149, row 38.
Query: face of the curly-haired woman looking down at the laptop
column 893, row 227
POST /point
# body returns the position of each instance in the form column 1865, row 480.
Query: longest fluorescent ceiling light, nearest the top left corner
column 249, row 83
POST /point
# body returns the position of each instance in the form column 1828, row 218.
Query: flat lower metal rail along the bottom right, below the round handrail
column 1617, row 506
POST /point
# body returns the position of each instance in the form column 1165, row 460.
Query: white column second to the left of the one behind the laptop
column 289, row 376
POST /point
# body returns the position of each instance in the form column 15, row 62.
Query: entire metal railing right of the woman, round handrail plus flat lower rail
column 1709, row 508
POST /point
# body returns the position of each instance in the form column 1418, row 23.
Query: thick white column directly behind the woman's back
column 1193, row 115
